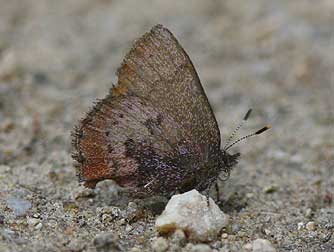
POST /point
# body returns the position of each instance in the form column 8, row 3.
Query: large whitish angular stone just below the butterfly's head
column 191, row 212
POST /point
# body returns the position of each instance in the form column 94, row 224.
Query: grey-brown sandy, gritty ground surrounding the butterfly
column 277, row 57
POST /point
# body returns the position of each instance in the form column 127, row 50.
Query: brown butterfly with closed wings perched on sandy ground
column 155, row 132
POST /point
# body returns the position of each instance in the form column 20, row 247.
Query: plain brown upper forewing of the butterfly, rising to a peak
column 158, row 69
